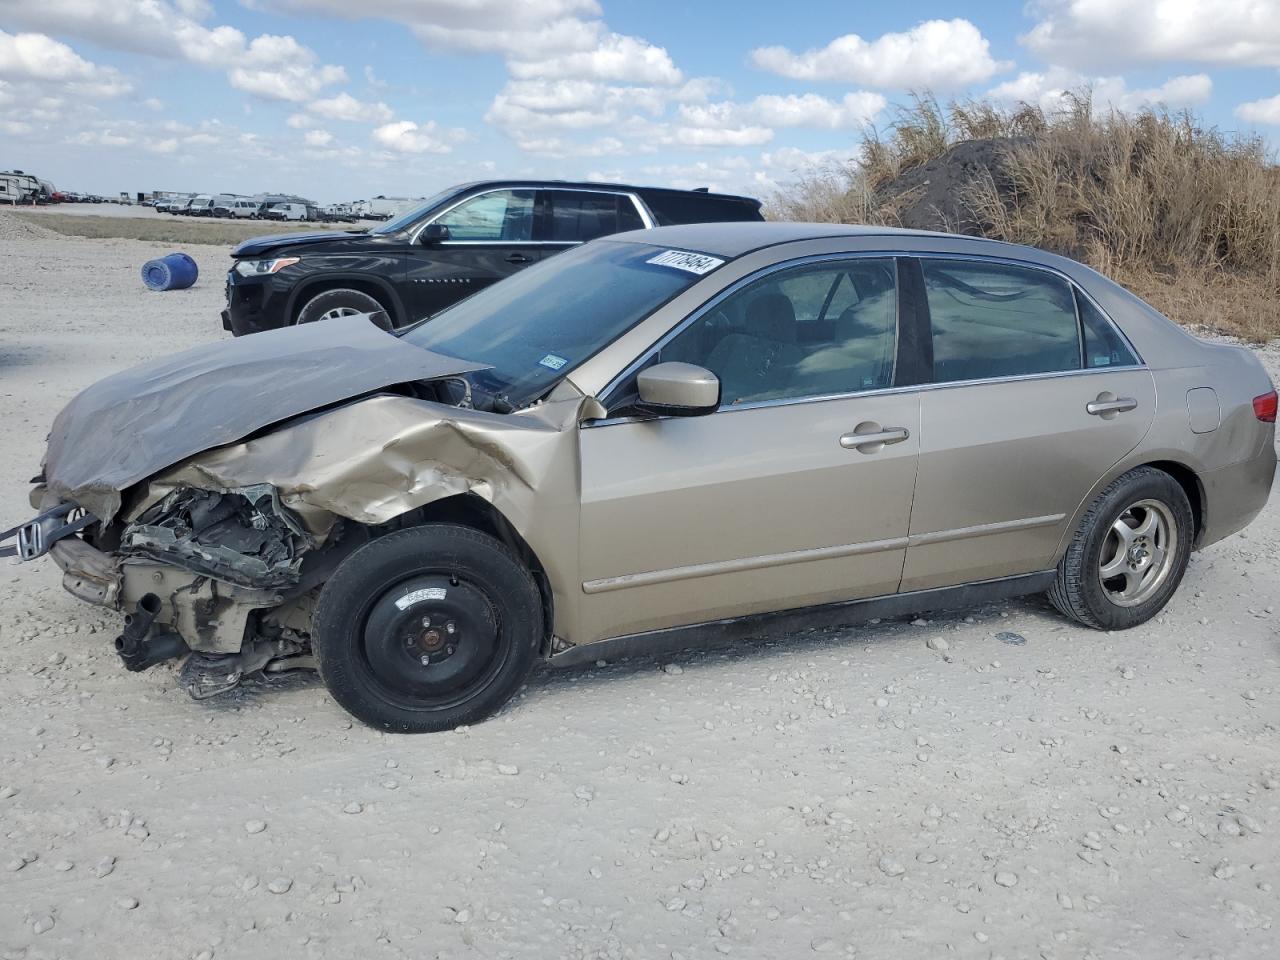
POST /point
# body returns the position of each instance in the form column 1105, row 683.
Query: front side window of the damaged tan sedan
column 816, row 331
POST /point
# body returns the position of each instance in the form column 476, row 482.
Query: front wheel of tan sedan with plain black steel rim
column 427, row 629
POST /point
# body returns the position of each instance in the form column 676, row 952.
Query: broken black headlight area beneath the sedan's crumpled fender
column 243, row 537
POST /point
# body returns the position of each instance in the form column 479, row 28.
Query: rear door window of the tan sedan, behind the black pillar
column 993, row 321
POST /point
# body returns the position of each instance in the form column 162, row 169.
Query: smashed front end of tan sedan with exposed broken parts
column 214, row 574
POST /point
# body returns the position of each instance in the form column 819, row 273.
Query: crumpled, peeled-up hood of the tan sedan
column 135, row 424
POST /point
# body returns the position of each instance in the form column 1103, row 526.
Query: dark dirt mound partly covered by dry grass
column 932, row 196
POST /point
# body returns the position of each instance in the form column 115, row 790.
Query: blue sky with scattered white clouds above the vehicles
column 342, row 99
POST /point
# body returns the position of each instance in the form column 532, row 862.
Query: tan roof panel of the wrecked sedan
column 734, row 240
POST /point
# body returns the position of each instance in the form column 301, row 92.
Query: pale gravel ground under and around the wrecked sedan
column 862, row 793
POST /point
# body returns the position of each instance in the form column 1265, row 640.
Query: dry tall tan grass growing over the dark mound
column 1186, row 216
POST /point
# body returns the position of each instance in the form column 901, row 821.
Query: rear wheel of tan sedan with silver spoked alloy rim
column 1130, row 554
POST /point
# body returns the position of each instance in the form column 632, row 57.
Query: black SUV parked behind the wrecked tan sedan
column 458, row 243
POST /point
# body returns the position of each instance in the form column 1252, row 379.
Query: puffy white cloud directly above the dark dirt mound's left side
column 936, row 54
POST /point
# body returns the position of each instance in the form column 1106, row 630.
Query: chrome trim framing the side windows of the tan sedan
column 867, row 255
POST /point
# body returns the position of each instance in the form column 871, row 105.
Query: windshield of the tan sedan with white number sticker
column 540, row 324
